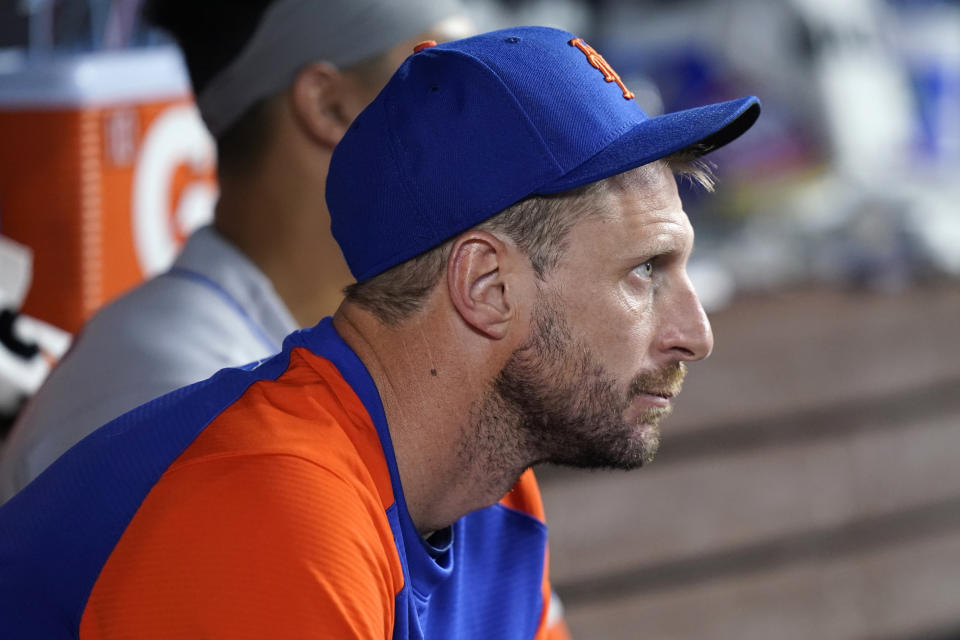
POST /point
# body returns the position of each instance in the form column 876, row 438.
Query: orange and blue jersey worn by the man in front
column 263, row 502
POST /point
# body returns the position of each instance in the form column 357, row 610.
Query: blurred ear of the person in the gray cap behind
column 317, row 98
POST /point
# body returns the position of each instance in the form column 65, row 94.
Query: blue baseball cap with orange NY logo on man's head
column 467, row 128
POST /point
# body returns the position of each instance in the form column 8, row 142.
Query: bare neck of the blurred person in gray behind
column 279, row 222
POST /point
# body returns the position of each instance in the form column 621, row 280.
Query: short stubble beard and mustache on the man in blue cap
column 555, row 402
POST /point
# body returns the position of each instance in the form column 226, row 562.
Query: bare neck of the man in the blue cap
column 429, row 399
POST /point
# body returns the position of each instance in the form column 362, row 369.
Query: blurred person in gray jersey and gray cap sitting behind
column 277, row 84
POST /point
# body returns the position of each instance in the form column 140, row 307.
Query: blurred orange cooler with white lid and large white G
column 105, row 167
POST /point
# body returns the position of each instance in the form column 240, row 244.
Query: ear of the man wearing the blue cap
column 478, row 275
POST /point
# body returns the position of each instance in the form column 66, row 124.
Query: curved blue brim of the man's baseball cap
column 710, row 126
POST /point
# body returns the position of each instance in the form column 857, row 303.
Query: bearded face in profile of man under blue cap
column 614, row 323
